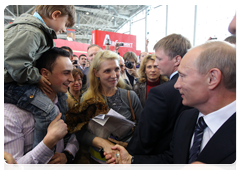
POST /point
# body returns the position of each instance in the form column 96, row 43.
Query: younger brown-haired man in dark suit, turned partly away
column 164, row 103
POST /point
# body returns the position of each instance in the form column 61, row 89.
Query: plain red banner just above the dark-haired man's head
column 78, row 48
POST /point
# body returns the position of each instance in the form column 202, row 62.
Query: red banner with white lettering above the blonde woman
column 100, row 38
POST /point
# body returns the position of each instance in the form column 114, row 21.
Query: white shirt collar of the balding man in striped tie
column 217, row 118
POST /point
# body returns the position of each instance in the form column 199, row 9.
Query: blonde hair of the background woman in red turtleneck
column 142, row 68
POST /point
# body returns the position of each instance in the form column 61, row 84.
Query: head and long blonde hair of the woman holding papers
column 104, row 76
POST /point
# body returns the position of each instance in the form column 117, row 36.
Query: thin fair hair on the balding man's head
column 221, row 55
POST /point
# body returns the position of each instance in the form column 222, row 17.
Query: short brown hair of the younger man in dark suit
column 173, row 45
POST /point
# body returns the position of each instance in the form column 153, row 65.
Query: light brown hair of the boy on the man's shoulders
column 47, row 10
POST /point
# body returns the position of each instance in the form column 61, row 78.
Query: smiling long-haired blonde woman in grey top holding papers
column 105, row 92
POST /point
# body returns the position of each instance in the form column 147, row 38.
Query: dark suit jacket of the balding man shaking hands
column 221, row 150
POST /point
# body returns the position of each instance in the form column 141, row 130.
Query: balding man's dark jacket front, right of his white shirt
column 223, row 143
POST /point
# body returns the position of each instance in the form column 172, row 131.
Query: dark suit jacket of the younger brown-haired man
column 155, row 128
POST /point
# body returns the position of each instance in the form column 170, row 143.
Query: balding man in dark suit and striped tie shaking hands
column 208, row 81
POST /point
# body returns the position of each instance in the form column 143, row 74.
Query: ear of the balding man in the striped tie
column 214, row 78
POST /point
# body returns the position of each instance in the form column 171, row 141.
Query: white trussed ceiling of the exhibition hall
column 89, row 17
